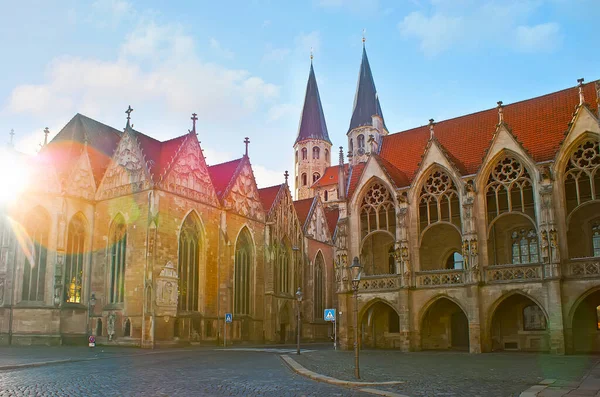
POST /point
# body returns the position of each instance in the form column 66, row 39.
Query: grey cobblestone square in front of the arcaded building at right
column 450, row 373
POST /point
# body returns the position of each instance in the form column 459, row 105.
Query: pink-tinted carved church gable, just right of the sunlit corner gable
column 184, row 170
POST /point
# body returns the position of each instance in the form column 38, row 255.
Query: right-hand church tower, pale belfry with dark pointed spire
column 367, row 126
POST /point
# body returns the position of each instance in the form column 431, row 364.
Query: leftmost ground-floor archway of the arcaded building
column 379, row 324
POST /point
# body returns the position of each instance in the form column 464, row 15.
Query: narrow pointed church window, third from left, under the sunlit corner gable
column 117, row 250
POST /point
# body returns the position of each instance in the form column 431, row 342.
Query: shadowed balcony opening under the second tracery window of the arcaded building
column 435, row 244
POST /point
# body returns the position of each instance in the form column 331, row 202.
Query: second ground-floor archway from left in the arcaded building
column 444, row 324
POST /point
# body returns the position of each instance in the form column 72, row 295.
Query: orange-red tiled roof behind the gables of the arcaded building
column 538, row 124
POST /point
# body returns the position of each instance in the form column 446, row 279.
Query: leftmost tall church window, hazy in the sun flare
column 37, row 225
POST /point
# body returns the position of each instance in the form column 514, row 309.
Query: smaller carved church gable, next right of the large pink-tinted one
column 241, row 195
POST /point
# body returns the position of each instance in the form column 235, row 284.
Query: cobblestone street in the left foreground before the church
column 180, row 373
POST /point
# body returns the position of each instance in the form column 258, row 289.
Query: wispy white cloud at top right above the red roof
column 473, row 23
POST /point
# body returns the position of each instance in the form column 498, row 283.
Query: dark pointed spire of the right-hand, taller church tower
column 366, row 100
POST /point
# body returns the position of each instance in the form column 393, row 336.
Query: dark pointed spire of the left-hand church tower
column 312, row 121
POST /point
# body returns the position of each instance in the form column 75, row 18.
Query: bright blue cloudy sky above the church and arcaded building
column 242, row 66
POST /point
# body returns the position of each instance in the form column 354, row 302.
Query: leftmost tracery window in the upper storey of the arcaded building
column 377, row 210
